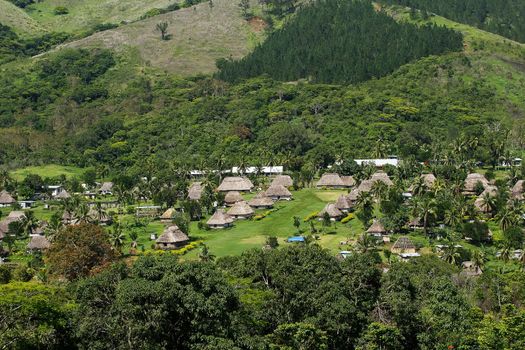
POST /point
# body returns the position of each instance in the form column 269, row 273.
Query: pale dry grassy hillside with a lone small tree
column 200, row 35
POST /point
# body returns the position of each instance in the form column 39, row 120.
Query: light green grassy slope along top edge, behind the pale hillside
column 85, row 14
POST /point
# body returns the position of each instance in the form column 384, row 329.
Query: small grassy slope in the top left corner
column 20, row 21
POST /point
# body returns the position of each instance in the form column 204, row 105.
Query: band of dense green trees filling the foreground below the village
column 289, row 298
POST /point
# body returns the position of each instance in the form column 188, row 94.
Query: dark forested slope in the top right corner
column 503, row 17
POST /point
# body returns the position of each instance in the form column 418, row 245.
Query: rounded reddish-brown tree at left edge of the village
column 78, row 251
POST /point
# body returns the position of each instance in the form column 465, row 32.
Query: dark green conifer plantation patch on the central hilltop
column 321, row 44
